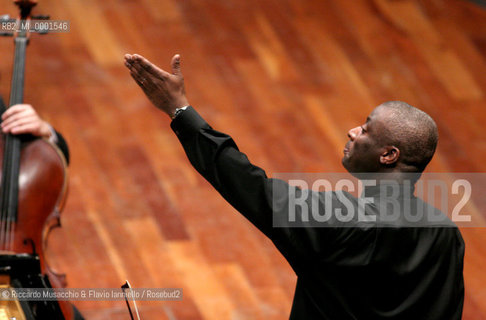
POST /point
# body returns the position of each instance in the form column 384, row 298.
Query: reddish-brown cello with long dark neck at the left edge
column 32, row 194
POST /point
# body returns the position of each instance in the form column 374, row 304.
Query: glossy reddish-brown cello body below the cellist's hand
column 42, row 192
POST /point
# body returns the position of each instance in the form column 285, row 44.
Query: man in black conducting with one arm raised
column 376, row 269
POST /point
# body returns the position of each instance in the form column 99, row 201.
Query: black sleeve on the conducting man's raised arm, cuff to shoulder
column 245, row 186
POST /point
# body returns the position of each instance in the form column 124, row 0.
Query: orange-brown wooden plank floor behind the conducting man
column 287, row 79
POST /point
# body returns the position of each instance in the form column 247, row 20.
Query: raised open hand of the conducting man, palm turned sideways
column 165, row 90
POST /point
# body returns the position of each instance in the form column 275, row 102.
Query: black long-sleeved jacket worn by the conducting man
column 356, row 271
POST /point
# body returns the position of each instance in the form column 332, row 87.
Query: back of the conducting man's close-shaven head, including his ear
column 412, row 131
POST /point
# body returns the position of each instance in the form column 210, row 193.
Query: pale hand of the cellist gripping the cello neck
column 22, row 118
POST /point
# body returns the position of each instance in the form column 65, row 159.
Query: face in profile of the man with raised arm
column 365, row 145
